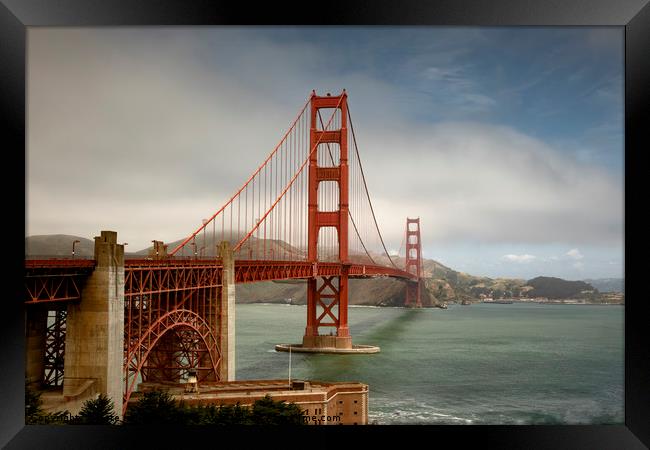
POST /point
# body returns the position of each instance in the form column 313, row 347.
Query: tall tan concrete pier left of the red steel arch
column 94, row 347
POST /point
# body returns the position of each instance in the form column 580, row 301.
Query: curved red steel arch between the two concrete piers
column 204, row 342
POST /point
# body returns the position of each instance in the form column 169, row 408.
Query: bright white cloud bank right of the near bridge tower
column 486, row 183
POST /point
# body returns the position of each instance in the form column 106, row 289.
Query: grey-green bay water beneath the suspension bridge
column 477, row 364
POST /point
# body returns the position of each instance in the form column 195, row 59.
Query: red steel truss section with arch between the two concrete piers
column 172, row 321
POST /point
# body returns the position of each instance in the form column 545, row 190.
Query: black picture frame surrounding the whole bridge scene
column 633, row 15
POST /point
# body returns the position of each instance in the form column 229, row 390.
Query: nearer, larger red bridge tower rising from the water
column 327, row 296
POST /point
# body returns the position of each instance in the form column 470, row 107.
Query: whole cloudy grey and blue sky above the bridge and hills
column 508, row 143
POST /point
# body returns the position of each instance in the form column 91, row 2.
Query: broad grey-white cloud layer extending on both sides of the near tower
column 150, row 135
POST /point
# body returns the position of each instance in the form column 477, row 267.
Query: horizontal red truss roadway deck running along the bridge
column 59, row 280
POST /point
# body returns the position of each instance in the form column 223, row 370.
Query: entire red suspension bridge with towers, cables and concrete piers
column 305, row 213
